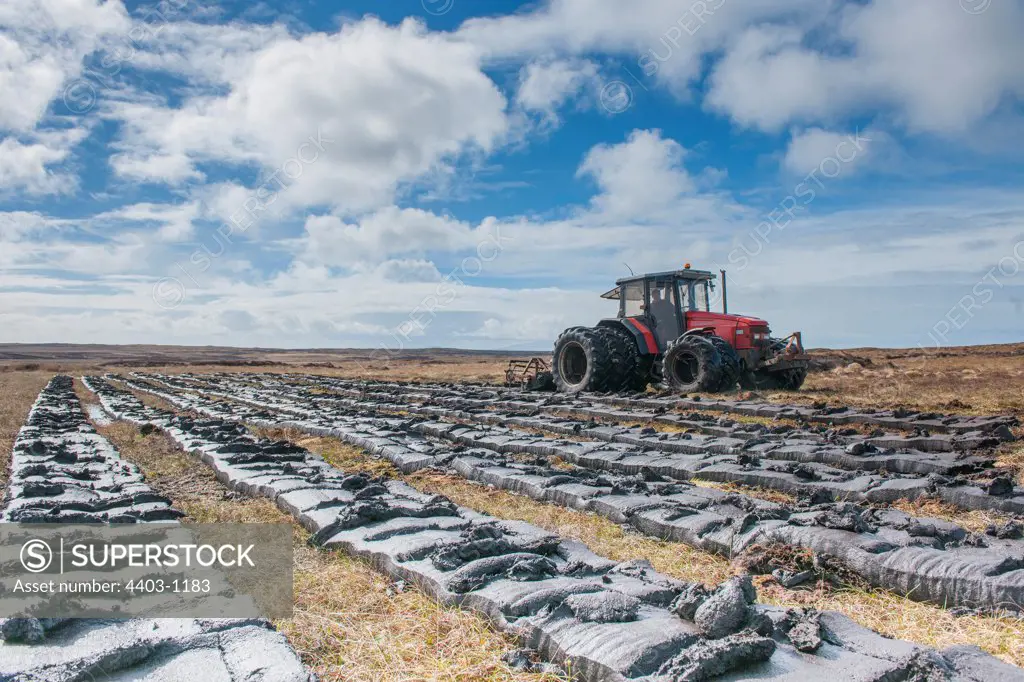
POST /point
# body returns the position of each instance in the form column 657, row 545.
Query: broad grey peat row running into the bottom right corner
column 608, row 621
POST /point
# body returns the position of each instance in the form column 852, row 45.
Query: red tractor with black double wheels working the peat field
column 666, row 333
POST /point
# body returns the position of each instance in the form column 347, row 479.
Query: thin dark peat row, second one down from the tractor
column 570, row 406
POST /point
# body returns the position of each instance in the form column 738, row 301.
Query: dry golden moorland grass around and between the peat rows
column 353, row 624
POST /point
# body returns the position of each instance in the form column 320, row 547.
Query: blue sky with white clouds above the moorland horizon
column 454, row 174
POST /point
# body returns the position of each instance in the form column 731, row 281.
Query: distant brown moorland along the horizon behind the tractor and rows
column 964, row 379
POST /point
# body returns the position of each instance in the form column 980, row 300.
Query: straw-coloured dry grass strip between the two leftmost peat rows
column 350, row 622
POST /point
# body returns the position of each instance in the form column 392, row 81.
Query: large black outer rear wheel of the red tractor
column 584, row 362
